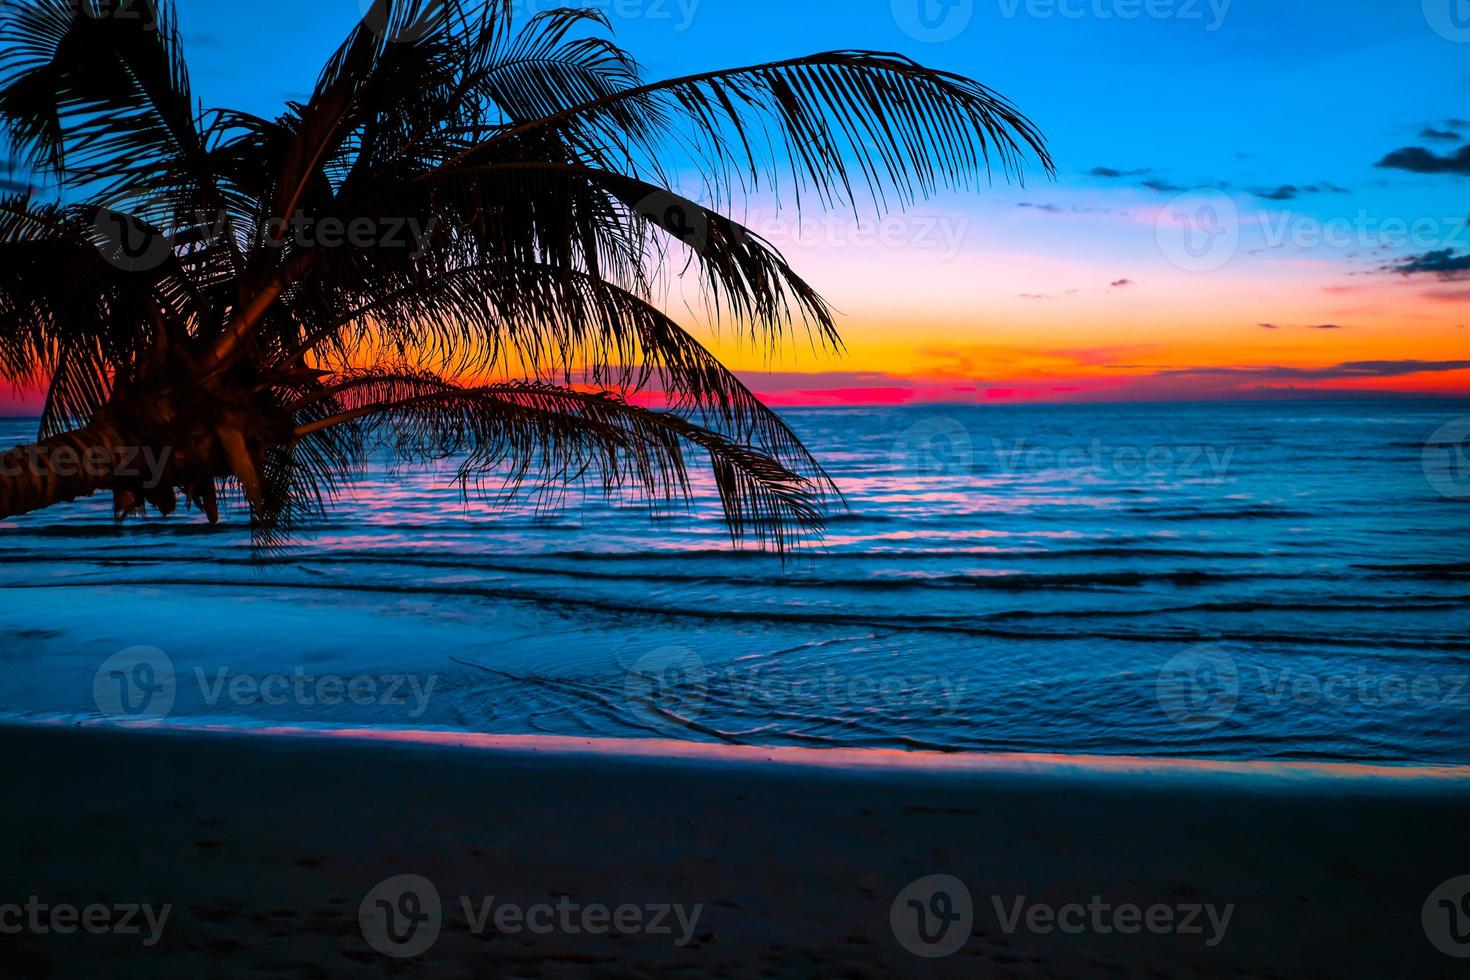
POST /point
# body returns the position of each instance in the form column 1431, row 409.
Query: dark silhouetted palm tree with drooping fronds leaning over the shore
column 451, row 249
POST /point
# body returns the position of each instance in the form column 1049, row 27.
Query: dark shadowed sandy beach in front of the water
column 783, row 863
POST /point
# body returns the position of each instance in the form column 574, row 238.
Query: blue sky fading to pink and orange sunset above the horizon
column 1253, row 198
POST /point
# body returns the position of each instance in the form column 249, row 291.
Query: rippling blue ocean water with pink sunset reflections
column 1215, row 581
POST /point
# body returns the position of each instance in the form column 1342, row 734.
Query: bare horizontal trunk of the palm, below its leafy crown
column 60, row 469
